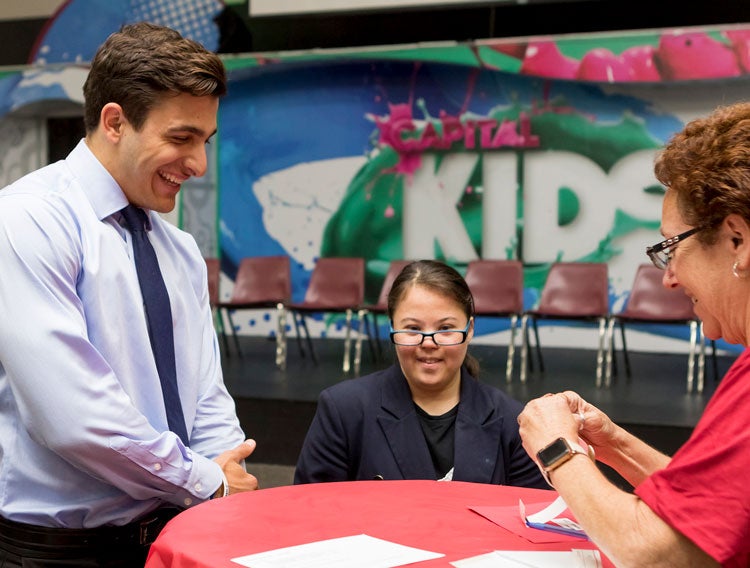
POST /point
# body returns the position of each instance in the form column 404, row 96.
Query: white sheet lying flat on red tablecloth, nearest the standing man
column 361, row 550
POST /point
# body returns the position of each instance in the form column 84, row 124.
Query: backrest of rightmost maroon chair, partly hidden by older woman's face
column 650, row 300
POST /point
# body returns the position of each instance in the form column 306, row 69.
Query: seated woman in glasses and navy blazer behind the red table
column 426, row 417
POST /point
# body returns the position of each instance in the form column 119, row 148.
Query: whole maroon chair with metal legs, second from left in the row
column 262, row 283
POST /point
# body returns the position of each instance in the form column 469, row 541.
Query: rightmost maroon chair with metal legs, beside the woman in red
column 651, row 303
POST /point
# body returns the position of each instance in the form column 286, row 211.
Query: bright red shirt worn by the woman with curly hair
column 704, row 492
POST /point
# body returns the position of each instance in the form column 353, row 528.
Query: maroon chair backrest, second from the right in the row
column 576, row 289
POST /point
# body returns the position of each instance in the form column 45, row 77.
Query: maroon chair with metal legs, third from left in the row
column 337, row 286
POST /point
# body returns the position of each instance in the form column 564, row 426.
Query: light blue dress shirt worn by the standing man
column 83, row 431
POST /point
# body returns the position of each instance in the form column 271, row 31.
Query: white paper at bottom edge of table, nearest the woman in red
column 576, row 558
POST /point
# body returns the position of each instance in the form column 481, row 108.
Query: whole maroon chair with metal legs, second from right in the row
column 573, row 291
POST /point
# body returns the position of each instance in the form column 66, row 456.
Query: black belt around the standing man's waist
column 141, row 532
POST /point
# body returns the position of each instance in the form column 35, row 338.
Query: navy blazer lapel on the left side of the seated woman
column 401, row 428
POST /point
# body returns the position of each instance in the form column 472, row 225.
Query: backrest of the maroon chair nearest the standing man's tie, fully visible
column 263, row 280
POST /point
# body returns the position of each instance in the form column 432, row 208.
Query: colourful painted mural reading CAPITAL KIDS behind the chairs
column 388, row 158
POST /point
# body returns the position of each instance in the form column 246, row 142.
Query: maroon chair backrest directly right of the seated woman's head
column 497, row 286
